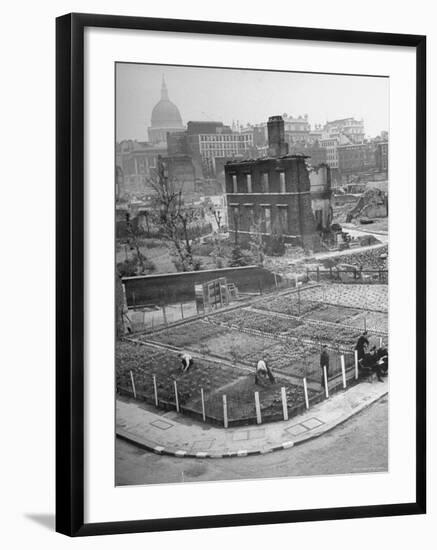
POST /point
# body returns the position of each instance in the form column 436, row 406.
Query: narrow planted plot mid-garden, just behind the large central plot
column 247, row 318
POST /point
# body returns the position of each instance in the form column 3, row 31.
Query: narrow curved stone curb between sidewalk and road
column 178, row 453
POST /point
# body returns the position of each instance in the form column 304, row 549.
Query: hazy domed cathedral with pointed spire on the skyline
column 165, row 118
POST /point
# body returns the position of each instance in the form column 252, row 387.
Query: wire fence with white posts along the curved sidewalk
column 241, row 401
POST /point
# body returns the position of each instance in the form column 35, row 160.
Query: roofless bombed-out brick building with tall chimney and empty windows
column 279, row 195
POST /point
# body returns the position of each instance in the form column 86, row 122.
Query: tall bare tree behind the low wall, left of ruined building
column 174, row 218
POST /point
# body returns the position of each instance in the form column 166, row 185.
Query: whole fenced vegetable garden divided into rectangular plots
column 286, row 328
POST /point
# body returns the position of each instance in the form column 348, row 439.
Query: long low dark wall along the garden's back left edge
column 178, row 287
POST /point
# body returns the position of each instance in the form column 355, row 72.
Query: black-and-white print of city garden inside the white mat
column 251, row 274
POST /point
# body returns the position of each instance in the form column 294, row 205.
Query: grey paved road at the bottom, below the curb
column 359, row 445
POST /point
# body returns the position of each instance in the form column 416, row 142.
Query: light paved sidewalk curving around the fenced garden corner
column 177, row 435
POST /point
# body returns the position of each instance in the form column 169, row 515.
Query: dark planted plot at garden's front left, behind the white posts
column 144, row 362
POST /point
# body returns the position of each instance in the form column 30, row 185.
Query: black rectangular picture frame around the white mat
column 70, row 273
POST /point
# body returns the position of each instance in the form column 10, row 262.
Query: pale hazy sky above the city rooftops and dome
column 247, row 96
